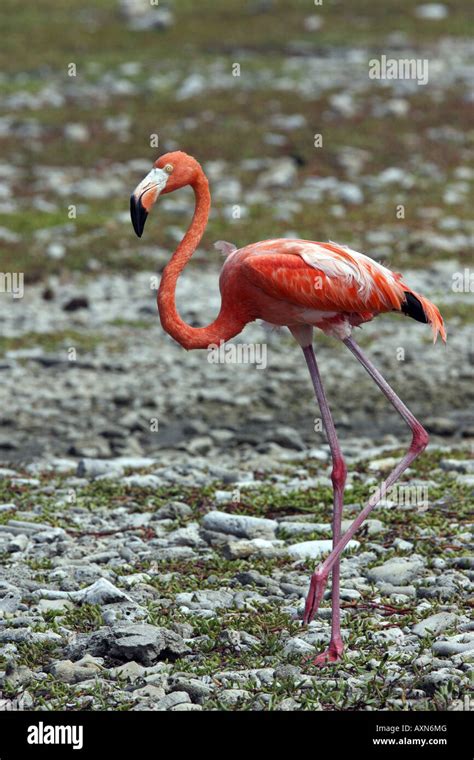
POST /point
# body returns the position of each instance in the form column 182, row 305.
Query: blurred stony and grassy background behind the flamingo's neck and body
column 88, row 90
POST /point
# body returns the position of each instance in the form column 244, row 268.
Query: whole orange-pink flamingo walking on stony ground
column 300, row 284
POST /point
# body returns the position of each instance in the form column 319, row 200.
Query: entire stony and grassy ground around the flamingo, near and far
column 161, row 514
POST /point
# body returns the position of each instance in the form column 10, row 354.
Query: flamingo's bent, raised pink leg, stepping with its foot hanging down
column 418, row 444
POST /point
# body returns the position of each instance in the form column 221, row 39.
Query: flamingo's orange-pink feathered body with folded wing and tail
column 325, row 285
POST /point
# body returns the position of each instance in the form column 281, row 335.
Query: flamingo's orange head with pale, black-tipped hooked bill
column 170, row 172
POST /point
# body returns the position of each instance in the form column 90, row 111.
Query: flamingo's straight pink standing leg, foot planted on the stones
column 338, row 476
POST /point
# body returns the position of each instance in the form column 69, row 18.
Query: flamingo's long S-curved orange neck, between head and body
column 226, row 325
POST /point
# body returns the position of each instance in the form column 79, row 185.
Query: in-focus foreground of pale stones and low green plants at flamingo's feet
column 178, row 583
